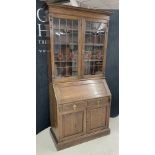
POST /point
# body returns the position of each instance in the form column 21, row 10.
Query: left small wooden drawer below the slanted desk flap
column 76, row 106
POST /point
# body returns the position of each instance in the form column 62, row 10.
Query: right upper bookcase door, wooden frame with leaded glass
column 94, row 47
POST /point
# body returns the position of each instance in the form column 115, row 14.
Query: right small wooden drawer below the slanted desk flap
column 98, row 102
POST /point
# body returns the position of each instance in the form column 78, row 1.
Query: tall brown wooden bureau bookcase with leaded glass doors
column 79, row 95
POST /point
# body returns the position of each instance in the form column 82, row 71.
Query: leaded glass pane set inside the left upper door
column 65, row 47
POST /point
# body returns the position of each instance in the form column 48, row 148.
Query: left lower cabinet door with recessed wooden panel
column 73, row 124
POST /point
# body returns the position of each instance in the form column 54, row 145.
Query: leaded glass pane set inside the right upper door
column 94, row 47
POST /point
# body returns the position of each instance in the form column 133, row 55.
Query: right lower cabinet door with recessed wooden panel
column 96, row 118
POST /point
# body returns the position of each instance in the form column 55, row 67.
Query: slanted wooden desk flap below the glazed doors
column 81, row 90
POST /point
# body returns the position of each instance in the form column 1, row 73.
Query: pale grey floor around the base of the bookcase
column 107, row 145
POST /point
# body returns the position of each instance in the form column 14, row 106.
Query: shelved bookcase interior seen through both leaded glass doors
column 66, row 47
